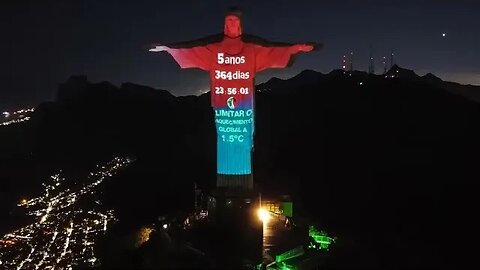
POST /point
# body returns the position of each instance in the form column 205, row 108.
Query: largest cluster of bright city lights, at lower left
column 66, row 222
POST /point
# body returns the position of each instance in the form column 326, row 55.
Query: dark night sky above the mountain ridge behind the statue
column 44, row 42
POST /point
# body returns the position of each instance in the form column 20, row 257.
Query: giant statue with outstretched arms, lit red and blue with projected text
column 233, row 59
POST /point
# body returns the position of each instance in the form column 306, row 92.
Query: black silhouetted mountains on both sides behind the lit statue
column 386, row 162
